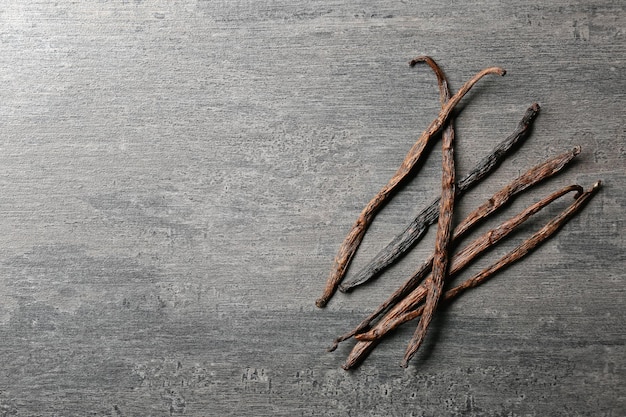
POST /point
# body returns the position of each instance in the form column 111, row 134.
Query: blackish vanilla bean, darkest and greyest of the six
column 419, row 226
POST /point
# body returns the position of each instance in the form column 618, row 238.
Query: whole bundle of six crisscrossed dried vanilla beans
column 419, row 296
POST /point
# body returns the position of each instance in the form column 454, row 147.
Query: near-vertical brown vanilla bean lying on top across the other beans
column 444, row 232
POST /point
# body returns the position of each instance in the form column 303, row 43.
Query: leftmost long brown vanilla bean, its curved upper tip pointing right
column 355, row 236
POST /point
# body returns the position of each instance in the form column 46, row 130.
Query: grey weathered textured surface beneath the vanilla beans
column 175, row 178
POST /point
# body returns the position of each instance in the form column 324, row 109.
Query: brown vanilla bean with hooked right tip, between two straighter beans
column 459, row 261
